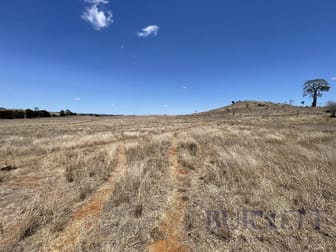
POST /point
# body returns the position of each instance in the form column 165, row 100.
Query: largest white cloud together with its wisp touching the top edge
column 96, row 16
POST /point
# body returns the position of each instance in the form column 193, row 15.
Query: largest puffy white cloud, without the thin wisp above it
column 98, row 18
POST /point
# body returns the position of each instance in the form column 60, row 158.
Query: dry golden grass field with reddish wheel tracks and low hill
column 248, row 177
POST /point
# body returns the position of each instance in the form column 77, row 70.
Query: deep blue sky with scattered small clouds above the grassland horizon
column 156, row 57
